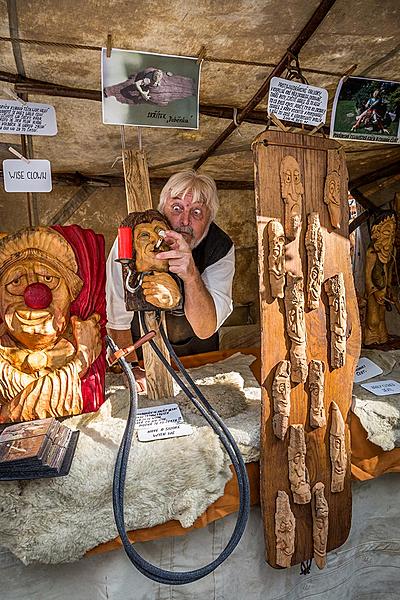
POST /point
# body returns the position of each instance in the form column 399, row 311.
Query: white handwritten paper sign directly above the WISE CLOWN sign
column 30, row 118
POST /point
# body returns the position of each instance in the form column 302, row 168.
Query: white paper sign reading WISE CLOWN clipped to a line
column 20, row 176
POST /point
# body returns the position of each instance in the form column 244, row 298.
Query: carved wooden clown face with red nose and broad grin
column 34, row 328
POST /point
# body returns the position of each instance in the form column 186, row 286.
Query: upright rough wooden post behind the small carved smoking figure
column 138, row 198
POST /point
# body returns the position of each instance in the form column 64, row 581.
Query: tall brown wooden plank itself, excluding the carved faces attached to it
column 311, row 153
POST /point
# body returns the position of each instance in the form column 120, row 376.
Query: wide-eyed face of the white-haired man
column 191, row 219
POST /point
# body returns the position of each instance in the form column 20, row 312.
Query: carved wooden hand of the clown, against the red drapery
column 87, row 338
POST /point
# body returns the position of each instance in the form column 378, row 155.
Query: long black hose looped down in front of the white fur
column 151, row 571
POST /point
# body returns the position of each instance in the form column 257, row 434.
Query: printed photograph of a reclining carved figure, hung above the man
column 150, row 90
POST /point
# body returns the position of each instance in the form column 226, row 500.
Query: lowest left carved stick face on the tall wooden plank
column 285, row 525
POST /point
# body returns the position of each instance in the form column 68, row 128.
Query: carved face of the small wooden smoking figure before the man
column 145, row 237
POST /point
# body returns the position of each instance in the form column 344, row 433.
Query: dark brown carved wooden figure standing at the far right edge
column 379, row 261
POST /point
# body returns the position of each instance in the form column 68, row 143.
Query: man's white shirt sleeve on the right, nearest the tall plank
column 218, row 280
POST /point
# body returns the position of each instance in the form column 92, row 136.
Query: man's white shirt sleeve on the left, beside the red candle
column 117, row 316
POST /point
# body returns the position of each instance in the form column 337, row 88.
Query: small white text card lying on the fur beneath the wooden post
column 161, row 422
